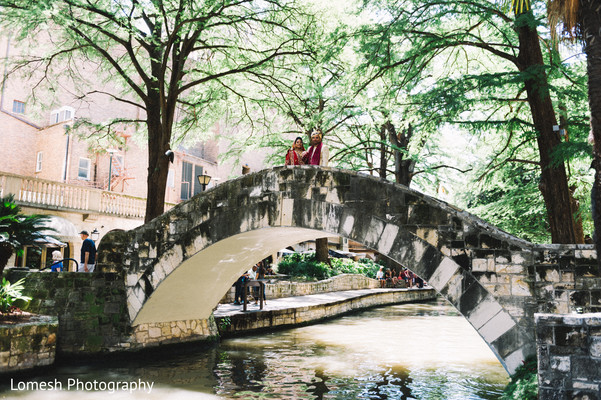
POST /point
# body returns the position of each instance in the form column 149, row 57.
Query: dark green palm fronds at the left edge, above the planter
column 18, row 230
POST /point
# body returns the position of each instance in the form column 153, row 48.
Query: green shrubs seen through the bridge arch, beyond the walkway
column 304, row 266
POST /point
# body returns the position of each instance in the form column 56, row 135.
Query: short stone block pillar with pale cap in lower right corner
column 569, row 356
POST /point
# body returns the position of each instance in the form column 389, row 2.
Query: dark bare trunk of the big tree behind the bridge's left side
column 158, row 163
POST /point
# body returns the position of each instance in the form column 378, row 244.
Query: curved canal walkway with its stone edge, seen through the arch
column 303, row 310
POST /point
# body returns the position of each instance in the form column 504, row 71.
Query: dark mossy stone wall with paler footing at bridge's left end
column 92, row 313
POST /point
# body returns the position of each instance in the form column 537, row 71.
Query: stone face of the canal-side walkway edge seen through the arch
column 255, row 321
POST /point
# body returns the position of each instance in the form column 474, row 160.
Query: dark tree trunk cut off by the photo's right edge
column 591, row 31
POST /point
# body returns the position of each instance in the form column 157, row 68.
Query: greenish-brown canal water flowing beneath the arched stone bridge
column 413, row 351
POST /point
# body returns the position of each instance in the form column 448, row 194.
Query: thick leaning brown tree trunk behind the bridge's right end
column 554, row 180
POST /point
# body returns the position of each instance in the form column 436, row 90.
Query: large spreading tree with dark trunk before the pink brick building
column 169, row 60
